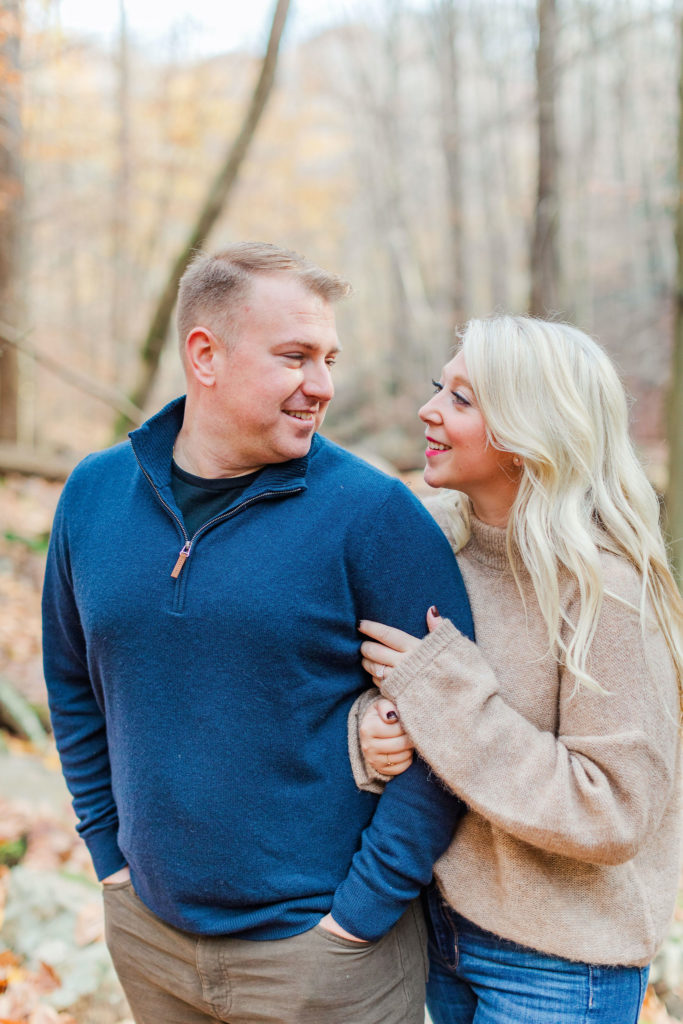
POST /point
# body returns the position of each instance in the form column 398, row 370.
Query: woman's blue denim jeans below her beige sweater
column 478, row 978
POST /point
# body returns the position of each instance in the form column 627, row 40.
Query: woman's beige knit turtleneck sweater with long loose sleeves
column 571, row 843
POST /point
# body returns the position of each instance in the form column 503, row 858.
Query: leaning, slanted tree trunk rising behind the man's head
column 215, row 205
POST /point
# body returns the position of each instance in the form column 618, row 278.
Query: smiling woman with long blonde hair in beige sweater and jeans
column 561, row 728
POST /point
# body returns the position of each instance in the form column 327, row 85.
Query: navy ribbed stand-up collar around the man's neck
column 153, row 445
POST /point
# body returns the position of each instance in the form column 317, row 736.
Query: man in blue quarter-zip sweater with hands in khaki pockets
column 204, row 584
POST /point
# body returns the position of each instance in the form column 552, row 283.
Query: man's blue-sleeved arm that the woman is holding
column 405, row 567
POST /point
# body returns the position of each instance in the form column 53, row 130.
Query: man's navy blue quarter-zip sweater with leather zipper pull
column 201, row 718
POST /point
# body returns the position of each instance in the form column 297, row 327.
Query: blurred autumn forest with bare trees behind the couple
column 451, row 158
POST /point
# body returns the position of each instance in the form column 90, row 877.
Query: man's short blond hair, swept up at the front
column 214, row 284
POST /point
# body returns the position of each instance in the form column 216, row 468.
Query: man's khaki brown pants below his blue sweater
column 170, row 977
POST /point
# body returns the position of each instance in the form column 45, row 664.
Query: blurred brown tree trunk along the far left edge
column 11, row 208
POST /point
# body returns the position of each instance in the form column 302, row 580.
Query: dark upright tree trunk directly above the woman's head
column 545, row 260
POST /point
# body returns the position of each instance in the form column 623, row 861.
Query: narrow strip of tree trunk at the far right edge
column 675, row 488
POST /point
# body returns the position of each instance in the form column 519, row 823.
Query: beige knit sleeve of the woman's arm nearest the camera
column 596, row 789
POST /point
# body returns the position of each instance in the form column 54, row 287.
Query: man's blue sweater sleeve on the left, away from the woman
column 78, row 720
